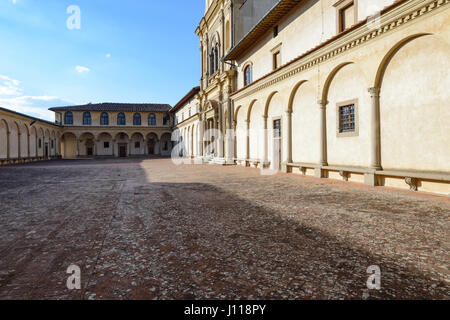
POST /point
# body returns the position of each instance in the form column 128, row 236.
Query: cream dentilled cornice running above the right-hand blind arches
column 391, row 20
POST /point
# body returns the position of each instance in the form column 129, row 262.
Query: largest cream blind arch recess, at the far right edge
column 413, row 104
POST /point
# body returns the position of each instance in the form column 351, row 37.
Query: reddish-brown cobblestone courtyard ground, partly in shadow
column 146, row 229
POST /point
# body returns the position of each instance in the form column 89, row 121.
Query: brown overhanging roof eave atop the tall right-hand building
column 282, row 8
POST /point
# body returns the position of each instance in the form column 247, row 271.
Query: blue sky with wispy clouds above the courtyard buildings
column 125, row 51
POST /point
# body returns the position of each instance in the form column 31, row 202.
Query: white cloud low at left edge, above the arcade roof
column 11, row 98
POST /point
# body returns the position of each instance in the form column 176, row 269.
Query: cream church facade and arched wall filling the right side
column 355, row 90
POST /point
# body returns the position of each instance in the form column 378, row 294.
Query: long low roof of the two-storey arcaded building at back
column 125, row 107
